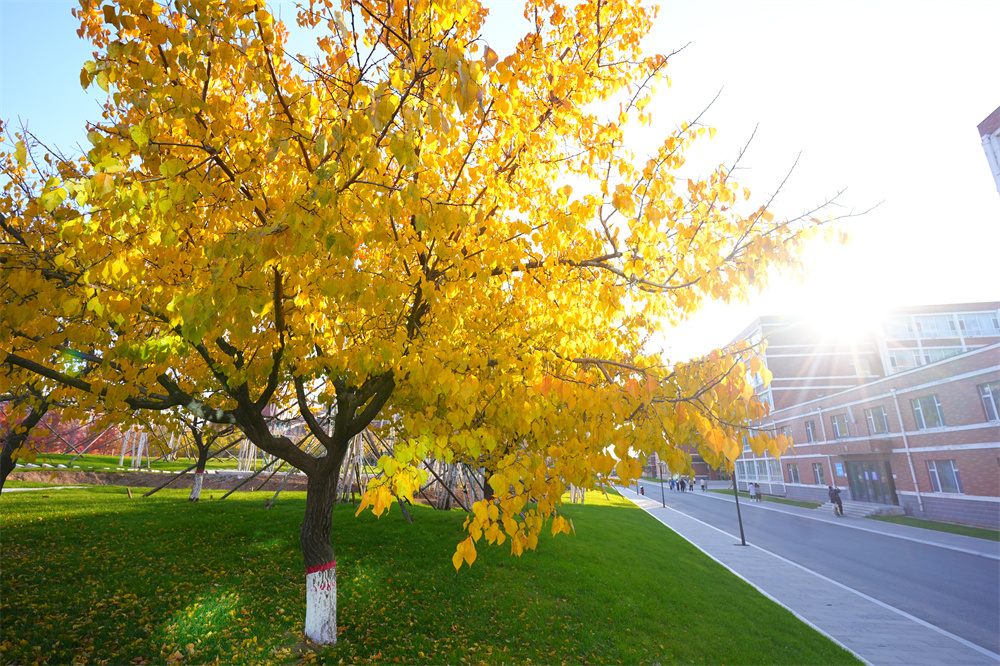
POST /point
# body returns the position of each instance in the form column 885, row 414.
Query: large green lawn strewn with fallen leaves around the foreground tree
column 92, row 576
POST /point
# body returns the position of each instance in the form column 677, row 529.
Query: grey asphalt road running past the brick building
column 956, row 591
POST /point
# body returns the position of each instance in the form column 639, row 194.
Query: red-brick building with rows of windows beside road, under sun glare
column 906, row 414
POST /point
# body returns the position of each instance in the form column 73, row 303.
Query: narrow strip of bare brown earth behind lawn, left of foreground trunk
column 152, row 480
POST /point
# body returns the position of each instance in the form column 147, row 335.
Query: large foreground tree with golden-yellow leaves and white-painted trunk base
column 404, row 228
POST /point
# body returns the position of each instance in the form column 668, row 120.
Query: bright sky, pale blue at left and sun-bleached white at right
column 881, row 98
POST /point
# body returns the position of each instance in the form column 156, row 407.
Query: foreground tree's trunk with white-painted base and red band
column 321, row 567
